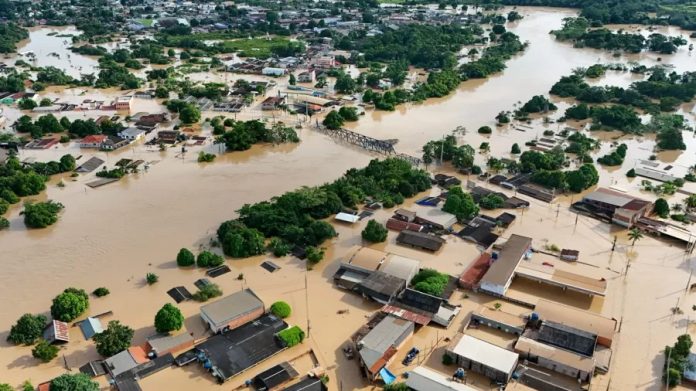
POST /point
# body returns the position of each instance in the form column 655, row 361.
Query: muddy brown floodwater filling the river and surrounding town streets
column 112, row 236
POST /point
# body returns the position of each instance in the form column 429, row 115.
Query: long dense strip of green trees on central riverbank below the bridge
column 295, row 217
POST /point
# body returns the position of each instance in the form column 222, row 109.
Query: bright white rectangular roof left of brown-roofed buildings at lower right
column 485, row 353
